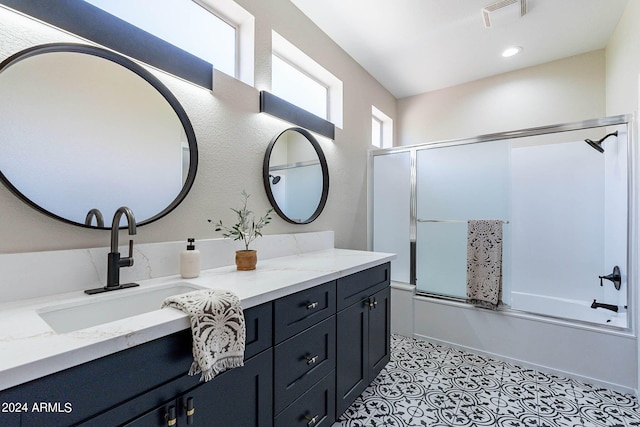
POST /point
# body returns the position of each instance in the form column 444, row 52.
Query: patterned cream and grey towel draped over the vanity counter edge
column 218, row 328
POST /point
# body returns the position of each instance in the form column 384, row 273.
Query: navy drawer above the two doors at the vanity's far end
column 358, row 286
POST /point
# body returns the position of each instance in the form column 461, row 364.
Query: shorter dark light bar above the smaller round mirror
column 284, row 110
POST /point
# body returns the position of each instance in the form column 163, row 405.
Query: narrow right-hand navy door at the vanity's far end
column 379, row 332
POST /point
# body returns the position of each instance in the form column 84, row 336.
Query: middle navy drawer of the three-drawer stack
column 303, row 360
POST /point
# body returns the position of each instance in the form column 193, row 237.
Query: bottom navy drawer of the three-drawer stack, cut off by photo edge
column 315, row 408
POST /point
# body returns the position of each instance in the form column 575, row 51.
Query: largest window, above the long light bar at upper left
column 189, row 25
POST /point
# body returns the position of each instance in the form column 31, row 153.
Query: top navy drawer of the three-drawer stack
column 295, row 313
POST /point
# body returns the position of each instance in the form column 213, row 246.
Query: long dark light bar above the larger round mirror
column 94, row 24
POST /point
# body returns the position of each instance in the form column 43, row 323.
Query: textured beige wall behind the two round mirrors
column 232, row 138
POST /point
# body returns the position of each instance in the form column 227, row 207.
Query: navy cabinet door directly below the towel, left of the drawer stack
column 241, row 397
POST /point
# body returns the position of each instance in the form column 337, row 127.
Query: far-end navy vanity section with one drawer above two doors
column 363, row 332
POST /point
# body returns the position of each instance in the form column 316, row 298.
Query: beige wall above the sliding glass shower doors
column 563, row 91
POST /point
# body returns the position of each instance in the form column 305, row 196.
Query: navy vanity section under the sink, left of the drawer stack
column 138, row 386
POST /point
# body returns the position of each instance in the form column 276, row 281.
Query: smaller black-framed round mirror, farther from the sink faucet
column 296, row 176
